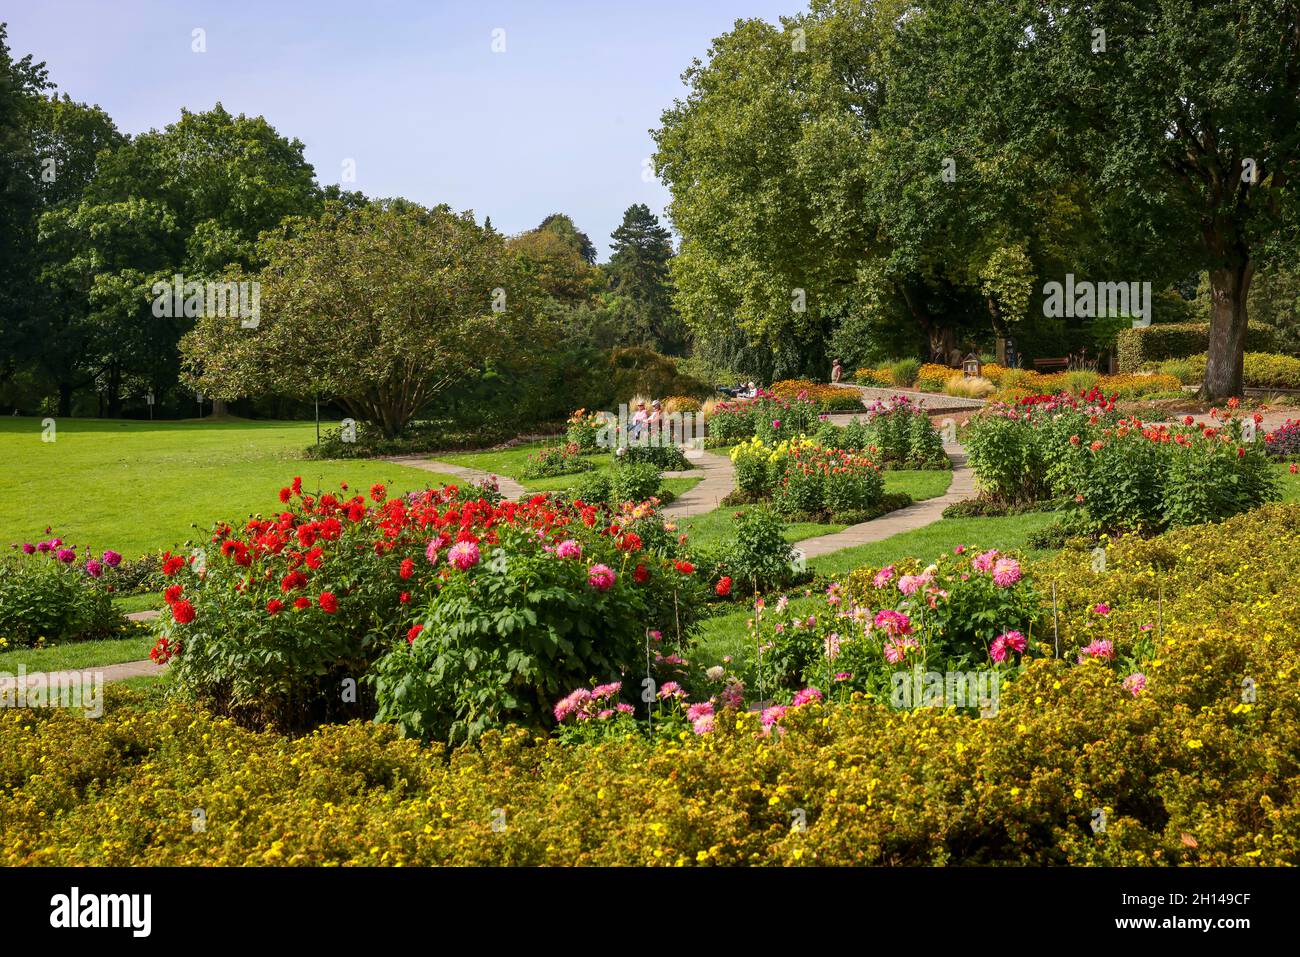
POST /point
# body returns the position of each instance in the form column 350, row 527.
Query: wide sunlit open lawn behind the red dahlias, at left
column 137, row 487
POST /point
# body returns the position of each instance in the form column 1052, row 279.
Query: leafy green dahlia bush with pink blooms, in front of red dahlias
column 504, row 636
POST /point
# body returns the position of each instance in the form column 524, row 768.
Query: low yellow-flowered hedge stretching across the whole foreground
column 1190, row 770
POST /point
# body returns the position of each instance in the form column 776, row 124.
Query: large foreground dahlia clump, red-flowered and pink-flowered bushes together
column 291, row 620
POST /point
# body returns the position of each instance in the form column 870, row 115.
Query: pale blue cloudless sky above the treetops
column 411, row 92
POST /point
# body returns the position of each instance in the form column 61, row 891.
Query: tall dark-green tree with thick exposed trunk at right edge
column 1184, row 118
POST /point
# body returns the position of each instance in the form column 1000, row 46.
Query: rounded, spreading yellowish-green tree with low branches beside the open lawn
column 379, row 309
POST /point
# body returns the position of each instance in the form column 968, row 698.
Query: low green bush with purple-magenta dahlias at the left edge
column 49, row 595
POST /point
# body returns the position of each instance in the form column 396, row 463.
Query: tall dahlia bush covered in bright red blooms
column 281, row 621
